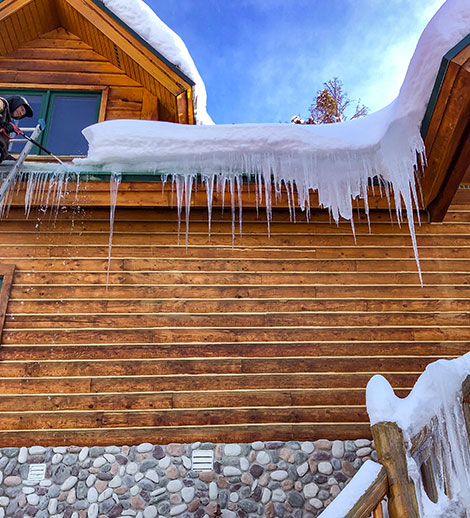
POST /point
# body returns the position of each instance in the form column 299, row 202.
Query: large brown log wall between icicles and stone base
column 268, row 338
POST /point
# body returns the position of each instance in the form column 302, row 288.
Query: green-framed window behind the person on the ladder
column 66, row 113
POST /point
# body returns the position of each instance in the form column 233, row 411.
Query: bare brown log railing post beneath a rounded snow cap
column 390, row 447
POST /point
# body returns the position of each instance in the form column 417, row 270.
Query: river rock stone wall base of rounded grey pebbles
column 272, row 479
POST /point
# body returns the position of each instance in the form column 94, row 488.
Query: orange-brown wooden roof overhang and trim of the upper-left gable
column 23, row 21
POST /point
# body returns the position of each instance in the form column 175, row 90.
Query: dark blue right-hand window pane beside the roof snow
column 70, row 114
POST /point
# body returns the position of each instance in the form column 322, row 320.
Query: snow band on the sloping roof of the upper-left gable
column 139, row 17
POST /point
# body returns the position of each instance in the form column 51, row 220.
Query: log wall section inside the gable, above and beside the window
column 59, row 59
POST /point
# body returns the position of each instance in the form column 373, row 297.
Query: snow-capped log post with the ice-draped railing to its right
column 423, row 441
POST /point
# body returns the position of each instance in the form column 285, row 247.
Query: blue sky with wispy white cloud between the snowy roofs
column 264, row 60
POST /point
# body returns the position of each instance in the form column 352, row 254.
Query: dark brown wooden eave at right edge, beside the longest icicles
column 446, row 132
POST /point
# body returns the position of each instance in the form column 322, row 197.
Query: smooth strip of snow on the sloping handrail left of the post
column 348, row 497
